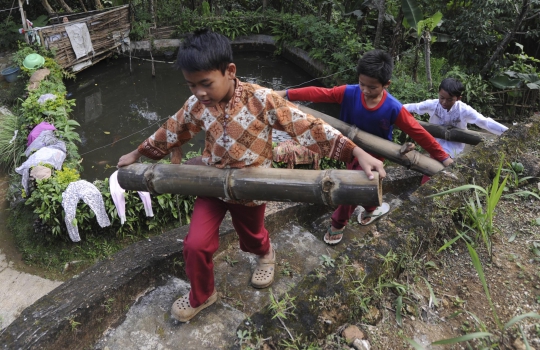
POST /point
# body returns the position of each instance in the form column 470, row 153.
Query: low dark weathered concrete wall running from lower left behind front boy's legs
column 75, row 314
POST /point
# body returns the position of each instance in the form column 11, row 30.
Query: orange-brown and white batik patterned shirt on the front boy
column 240, row 135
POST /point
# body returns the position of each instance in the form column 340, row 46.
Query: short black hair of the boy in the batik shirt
column 204, row 51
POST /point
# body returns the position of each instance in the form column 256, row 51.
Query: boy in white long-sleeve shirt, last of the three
column 450, row 110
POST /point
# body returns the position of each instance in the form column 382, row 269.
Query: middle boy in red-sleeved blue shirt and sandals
column 372, row 109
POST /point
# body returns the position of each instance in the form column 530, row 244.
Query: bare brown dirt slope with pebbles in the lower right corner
column 461, row 306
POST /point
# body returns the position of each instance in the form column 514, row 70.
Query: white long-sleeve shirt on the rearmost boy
column 458, row 116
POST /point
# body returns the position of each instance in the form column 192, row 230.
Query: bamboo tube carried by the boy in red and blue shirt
column 376, row 145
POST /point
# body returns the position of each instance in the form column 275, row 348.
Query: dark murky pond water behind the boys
column 118, row 110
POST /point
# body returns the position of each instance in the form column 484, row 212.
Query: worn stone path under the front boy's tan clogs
column 148, row 324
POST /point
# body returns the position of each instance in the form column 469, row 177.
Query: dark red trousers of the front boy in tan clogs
column 202, row 240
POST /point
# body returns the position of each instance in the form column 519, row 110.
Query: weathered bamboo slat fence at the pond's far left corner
column 107, row 32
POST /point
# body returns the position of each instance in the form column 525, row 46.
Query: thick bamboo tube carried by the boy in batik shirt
column 329, row 187
